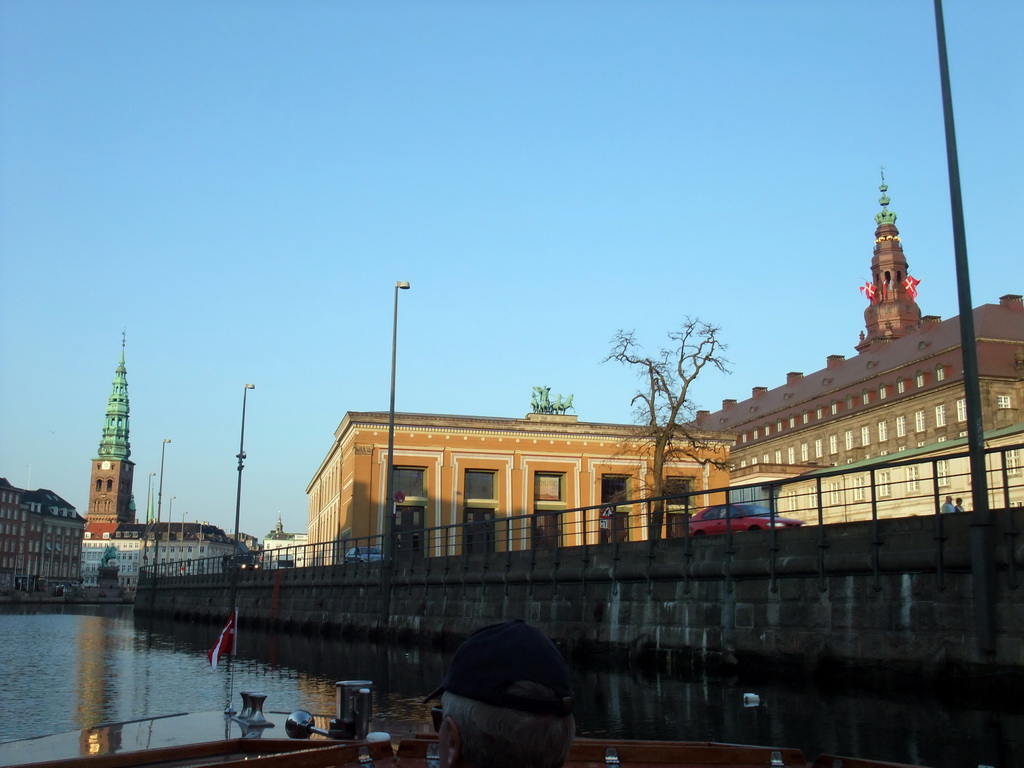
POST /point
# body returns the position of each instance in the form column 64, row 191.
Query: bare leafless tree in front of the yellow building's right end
column 665, row 413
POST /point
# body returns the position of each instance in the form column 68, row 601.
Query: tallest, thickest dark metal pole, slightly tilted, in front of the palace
column 982, row 533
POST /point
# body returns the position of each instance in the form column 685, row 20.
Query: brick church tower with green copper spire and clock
column 111, row 486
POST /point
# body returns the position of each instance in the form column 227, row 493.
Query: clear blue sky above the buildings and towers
column 240, row 184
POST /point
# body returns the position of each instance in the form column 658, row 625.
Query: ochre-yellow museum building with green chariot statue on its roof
column 476, row 474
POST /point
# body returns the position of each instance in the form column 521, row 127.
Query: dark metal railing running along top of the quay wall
column 869, row 492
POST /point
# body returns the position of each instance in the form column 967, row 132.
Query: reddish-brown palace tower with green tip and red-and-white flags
column 892, row 311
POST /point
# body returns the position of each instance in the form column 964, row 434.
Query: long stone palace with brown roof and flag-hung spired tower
column 902, row 392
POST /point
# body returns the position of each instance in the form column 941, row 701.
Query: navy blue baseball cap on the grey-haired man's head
column 495, row 658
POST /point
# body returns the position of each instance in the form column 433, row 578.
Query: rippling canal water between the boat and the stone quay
column 72, row 667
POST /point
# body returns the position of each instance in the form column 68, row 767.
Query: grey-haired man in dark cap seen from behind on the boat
column 506, row 702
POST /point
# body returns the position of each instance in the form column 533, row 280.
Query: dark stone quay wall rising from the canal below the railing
column 899, row 593
